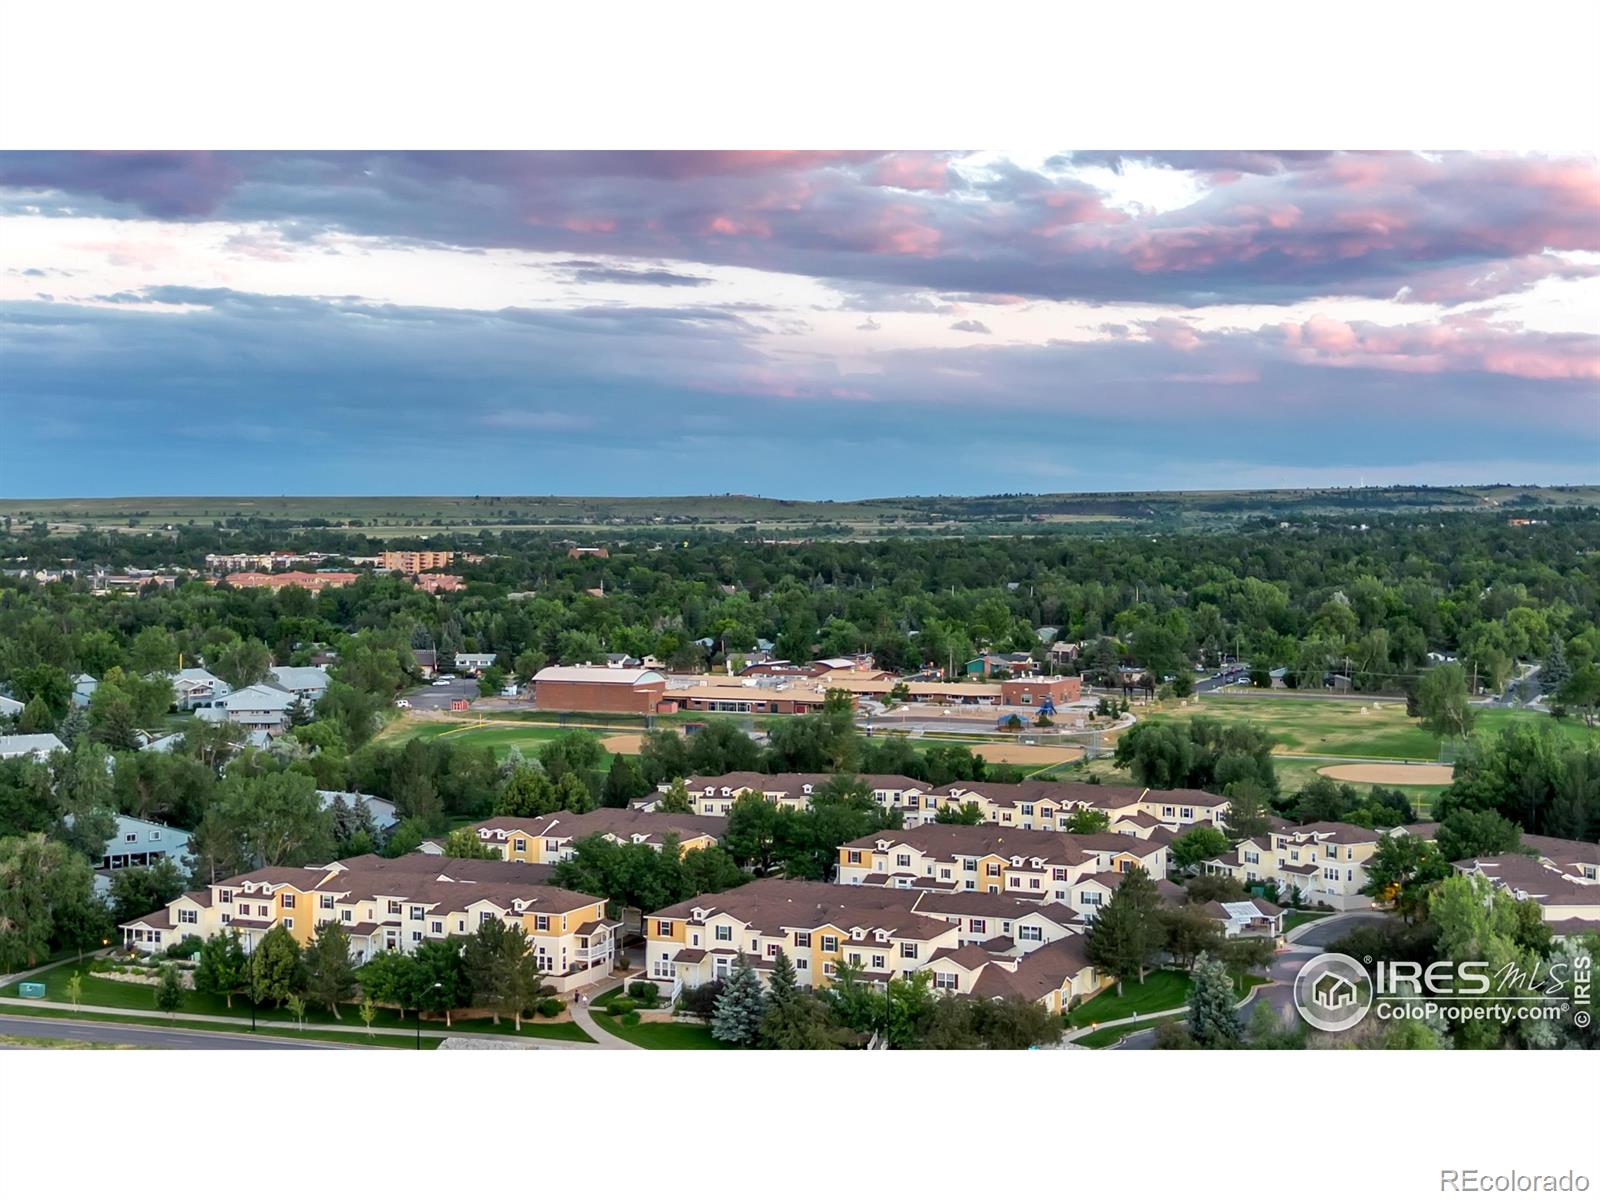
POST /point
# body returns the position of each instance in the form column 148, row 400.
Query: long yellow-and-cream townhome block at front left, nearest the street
column 398, row 905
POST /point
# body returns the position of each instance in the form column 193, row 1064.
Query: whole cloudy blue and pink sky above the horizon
column 820, row 326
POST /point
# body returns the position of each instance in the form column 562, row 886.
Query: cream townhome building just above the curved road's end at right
column 1322, row 862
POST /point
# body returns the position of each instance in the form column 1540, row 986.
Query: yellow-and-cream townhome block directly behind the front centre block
column 994, row 860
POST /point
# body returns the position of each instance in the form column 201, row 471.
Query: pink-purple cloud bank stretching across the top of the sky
column 1268, row 228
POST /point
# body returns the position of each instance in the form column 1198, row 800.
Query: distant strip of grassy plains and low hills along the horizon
column 1062, row 513
